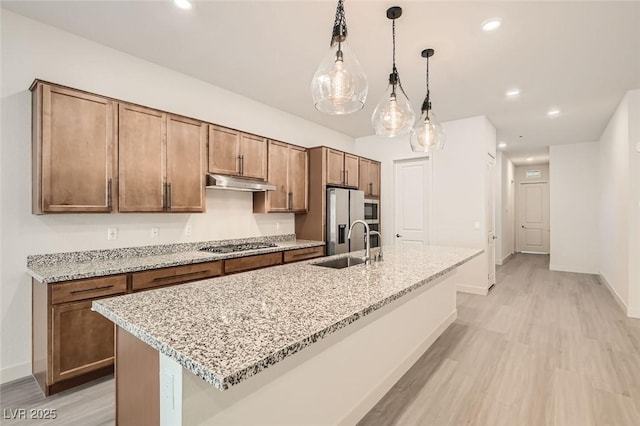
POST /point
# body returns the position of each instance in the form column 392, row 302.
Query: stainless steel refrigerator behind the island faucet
column 343, row 207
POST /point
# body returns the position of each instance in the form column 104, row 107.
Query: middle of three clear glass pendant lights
column 393, row 115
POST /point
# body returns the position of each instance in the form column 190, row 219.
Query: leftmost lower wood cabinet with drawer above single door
column 71, row 343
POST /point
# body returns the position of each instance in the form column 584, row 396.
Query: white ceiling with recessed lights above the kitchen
column 578, row 56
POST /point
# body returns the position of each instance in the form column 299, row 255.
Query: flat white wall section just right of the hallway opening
column 575, row 204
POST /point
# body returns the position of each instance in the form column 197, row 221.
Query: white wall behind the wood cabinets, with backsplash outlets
column 32, row 50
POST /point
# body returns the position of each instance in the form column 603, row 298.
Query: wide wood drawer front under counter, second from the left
column 175, row 275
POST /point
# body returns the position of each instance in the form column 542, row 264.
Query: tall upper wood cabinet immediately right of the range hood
column 288, row 171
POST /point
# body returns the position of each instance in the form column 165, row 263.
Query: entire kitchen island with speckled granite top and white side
column 291, row 344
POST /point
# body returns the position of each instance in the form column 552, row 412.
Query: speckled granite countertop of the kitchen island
column 227, row 329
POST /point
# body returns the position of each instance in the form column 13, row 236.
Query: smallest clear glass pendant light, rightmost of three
column 427, row 134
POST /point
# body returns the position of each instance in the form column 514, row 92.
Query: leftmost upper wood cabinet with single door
column 74, row 155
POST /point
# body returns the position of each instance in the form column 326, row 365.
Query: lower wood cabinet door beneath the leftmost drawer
column 82, row 340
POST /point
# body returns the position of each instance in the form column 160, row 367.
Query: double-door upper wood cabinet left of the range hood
column 161, row 161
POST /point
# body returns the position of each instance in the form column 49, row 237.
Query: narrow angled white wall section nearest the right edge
column 614, row 203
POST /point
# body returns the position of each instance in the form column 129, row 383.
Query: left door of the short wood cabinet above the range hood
column 224, row 150
